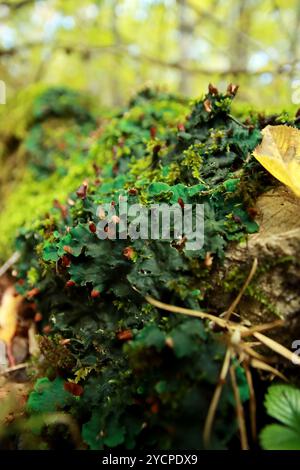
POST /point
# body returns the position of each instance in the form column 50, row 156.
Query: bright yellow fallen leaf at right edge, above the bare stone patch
column 279, row 153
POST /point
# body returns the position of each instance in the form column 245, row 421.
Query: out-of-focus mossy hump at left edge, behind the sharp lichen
column 49, row 161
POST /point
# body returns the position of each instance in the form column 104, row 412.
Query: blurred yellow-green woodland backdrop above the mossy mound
column 111, row 48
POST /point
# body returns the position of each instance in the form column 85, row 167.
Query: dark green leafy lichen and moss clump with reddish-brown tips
column 146, row 367
